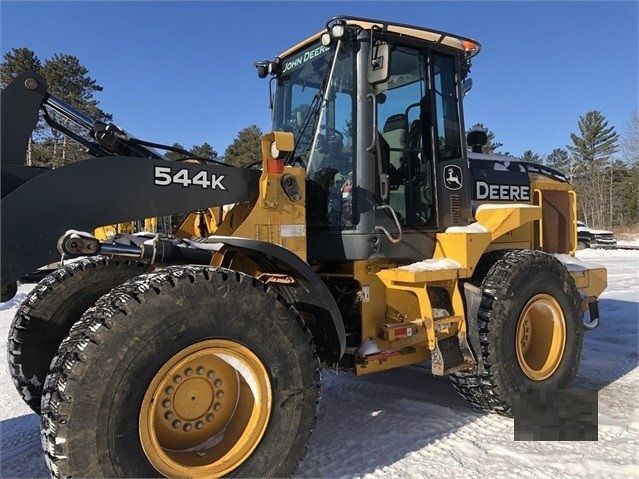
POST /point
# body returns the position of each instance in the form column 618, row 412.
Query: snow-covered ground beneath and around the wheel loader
column 408, row 424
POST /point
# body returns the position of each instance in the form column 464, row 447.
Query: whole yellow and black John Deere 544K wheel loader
column 370, row 238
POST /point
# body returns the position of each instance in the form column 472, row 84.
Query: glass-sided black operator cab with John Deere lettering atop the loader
column 376, row 113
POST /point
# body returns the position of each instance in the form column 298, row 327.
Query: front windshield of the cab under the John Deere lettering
column 314, row 100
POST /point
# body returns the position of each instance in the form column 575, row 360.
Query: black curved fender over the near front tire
column 312, row 296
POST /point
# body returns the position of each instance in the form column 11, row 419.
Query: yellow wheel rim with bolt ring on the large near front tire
column 205, row 410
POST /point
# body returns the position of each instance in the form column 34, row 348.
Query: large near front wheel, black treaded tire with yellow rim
column 113, row 405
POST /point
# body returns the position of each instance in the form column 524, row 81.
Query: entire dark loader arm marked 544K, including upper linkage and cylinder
column 126, row 180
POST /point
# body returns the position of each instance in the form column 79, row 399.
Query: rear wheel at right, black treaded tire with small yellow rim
column 530, row 330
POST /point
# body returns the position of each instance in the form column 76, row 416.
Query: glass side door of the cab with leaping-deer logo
column 421, row 147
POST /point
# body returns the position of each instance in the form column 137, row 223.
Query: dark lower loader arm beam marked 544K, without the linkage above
column 101, row 191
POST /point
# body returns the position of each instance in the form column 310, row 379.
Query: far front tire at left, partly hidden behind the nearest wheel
column 48, row 312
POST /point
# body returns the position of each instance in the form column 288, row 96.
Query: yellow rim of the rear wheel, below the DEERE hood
column 540, row 337
